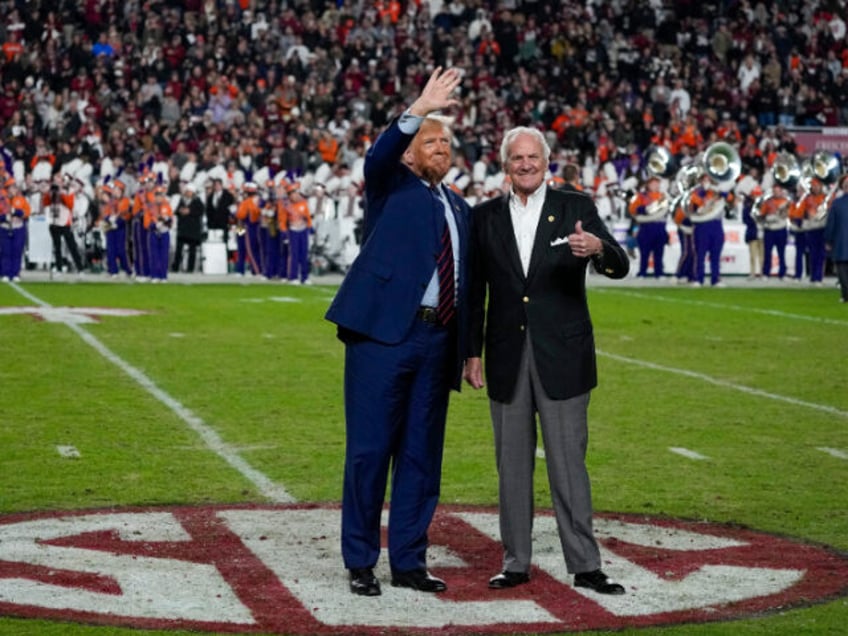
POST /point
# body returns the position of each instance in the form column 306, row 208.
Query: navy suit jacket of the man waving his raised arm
column 381, row 293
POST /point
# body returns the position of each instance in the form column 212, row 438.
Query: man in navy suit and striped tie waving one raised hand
column 405, row 332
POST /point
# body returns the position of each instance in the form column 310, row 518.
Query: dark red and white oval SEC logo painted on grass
column 278, row 569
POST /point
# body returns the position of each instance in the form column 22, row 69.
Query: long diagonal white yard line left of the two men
column 213, row 441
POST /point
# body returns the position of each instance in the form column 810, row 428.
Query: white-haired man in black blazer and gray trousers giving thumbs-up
column 530, row 249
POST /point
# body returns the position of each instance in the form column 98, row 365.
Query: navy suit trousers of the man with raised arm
column 396, row 399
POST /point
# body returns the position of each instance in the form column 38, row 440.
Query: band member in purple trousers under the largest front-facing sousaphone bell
column 706, row 210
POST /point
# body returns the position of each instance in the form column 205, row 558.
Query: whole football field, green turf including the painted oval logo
column 194, row 400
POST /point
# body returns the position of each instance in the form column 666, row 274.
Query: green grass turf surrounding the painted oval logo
column 265, row 373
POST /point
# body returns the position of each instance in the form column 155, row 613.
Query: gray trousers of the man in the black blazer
column 565, row 436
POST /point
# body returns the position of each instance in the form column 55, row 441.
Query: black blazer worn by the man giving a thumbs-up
column 550, row 301
